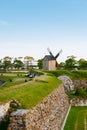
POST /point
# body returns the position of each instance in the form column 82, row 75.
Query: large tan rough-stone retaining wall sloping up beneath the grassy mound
column 48, row 115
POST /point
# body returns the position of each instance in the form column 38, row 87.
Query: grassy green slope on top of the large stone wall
column 27, row 93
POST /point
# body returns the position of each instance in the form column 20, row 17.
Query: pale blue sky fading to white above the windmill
column 29, row 27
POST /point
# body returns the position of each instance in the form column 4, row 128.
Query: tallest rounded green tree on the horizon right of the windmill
column 70, row 63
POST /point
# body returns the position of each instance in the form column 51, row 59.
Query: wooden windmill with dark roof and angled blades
column 50, row 61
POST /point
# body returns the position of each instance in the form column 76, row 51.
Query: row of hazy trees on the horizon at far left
column 9, row 63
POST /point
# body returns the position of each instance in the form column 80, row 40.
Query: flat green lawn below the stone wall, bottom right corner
column 77, row 119
